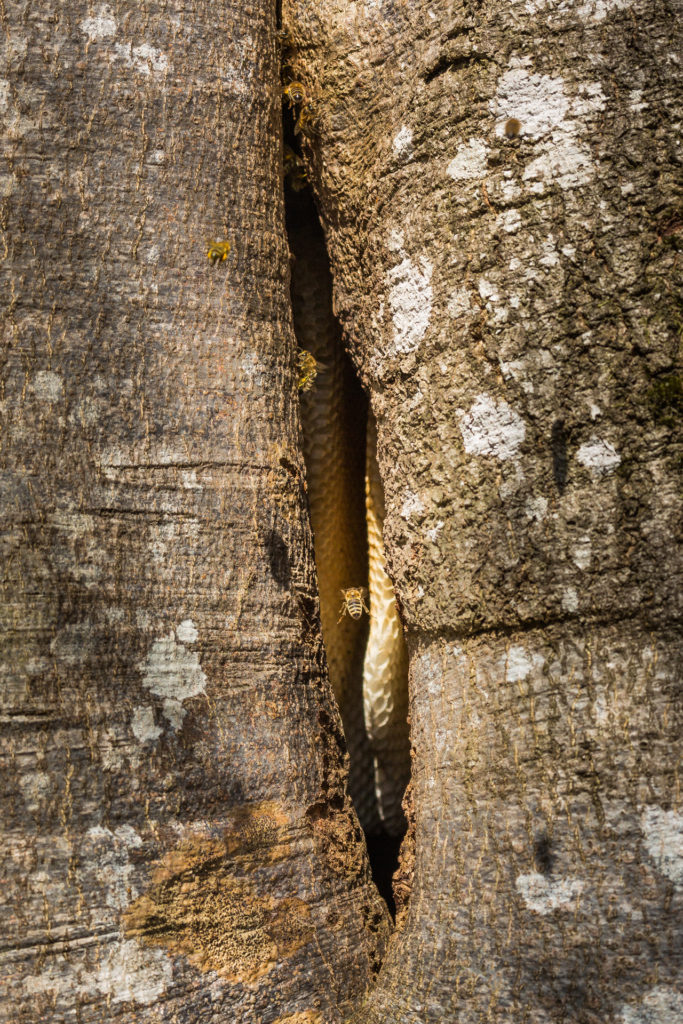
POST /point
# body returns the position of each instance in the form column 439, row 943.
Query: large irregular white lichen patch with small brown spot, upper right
column 553, row 119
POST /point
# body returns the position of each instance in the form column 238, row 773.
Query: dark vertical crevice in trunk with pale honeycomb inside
column 347, row 513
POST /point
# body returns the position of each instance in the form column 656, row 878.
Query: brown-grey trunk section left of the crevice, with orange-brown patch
column 178, row 844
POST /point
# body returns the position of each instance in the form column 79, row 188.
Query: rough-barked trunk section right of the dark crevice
column 500, row 187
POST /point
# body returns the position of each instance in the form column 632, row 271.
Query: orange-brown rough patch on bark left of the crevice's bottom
column 204, row 905
